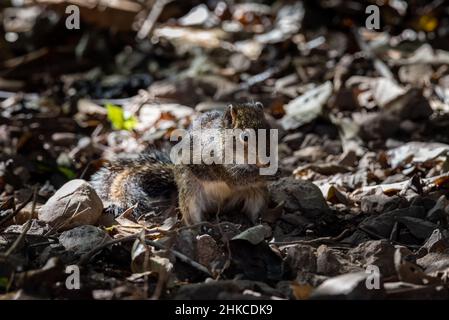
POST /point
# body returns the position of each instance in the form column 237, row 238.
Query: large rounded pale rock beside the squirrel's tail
column 76, row 203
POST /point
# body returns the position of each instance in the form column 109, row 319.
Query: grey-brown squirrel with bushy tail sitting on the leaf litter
column 202, row 189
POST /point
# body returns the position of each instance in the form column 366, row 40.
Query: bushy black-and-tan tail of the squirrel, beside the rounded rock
column 146, row 181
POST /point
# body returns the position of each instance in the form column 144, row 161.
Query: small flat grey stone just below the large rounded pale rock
column 83, row 239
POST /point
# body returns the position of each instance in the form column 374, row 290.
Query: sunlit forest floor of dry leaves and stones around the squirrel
column 358, row 209
